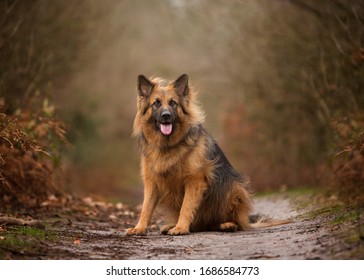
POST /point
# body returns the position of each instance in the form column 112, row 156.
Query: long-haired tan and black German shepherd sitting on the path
column 184, row 170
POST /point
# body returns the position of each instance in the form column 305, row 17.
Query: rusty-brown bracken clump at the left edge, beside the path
column 29, row 152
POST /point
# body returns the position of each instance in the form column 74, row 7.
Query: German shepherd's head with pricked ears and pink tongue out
column 165, row 109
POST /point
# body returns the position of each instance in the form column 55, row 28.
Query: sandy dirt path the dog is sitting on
column 302, row 239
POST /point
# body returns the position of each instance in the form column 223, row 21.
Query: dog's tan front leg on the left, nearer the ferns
column 149, row 203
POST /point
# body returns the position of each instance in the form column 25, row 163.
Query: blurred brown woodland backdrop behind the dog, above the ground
column 281, row 83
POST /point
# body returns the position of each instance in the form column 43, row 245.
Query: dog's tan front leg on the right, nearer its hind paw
column 194, row 190
